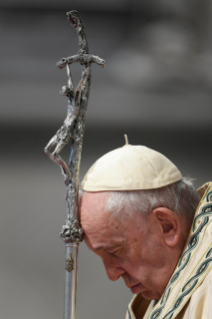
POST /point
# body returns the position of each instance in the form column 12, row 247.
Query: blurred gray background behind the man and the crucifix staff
column 156, row 88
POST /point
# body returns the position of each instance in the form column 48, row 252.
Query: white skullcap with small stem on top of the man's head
column 130, row 168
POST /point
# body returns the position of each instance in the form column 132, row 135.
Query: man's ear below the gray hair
column 169, row 225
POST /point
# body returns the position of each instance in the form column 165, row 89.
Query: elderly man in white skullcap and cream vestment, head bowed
column 151, row 227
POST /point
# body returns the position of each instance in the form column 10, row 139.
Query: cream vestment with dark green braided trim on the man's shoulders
column 188, row 294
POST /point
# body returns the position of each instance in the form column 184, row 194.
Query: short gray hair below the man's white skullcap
column 181, row 197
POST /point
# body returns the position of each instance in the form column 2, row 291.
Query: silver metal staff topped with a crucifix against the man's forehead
column 72, row 131
